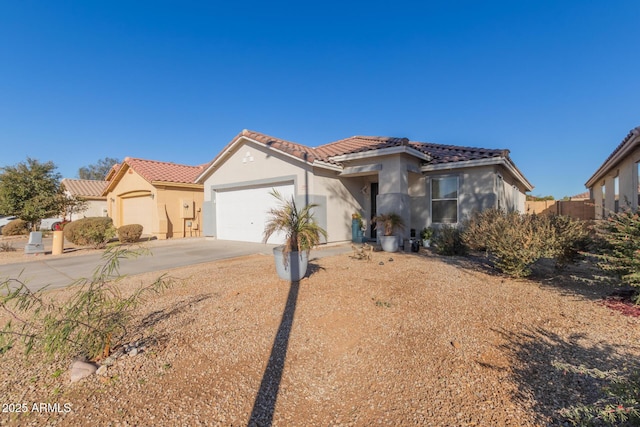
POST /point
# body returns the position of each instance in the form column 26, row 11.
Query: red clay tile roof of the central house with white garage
column 358, row 144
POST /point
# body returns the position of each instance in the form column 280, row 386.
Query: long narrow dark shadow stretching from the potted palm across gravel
column 265, row 403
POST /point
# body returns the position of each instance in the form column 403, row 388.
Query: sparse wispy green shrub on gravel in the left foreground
column 89, row 324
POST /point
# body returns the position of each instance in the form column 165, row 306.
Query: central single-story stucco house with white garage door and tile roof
column 427, row 184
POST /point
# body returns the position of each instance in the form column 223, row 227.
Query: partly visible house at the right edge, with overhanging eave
column 616, row 184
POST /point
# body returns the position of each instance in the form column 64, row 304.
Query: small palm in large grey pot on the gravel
column 301, row 234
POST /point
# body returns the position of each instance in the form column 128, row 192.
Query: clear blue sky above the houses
column 556, row 82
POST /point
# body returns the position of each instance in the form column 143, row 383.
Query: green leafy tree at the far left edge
column 31, row 191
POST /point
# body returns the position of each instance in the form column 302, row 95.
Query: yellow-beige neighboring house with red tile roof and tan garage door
column 162, row 197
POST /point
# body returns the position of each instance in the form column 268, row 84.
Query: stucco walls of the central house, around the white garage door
column 395, row 174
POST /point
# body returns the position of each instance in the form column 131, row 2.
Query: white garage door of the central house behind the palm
column 241, row 214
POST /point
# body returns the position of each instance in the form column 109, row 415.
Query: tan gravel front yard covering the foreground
column 404, row 339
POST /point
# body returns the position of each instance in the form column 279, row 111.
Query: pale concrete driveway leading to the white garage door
column 165, row 254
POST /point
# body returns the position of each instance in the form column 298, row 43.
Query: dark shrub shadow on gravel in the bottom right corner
column 555, row 373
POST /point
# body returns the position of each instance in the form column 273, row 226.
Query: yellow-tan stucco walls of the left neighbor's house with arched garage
column 167, row 215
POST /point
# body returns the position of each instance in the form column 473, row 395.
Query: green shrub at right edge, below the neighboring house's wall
column 619, row 249
